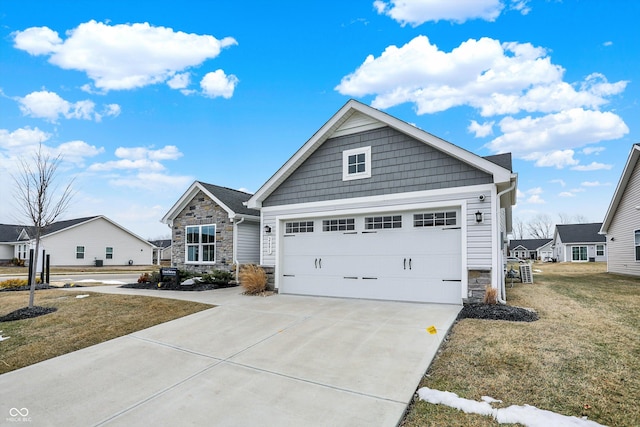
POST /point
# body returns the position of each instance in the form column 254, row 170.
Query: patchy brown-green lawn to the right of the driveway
column 582, row 358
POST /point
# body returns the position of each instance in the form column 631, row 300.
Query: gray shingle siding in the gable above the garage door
column 399, row 164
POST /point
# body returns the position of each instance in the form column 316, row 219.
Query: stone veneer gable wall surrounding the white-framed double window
column 202, row 210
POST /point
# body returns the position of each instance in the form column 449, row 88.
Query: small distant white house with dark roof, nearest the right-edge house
column 579, row 243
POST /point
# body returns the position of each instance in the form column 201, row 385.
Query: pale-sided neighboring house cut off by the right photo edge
column 622, row 221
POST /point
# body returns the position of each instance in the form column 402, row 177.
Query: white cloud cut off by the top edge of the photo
column 417, row 12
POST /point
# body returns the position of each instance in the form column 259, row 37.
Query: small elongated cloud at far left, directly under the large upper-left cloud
column 50, row 106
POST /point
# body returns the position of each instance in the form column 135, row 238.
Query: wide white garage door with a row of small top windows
column 409, row 256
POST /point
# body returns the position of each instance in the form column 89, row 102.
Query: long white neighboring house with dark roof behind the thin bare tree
column 80, row 241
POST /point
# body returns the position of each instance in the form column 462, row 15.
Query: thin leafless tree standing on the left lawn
column 36, row 191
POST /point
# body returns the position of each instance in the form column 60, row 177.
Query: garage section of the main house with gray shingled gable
column 373, row 207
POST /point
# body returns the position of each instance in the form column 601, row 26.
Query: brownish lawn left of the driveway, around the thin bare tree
column 78, row 323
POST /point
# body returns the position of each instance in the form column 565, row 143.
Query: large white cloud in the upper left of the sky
column 124, row 56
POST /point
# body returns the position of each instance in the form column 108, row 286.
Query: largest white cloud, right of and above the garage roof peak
column 494, row 78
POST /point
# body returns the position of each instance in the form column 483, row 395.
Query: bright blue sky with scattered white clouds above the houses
column 142, row 98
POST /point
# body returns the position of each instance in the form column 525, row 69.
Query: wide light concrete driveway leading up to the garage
column 276, row 361
